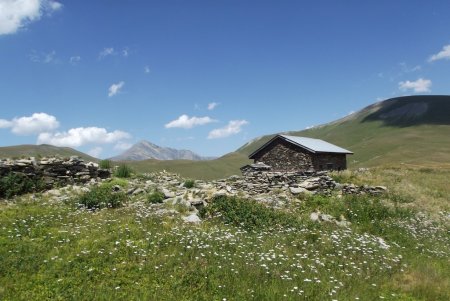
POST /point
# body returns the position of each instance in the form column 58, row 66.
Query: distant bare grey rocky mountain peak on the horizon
column 144, row 150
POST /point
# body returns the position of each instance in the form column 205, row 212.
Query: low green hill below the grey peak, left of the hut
column 212, row 169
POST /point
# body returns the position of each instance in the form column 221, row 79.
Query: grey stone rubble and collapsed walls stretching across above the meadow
column 275, row 189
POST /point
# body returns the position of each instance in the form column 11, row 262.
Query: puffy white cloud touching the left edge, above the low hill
column 28, row 125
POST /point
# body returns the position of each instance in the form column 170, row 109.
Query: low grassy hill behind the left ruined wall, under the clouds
column 43, row 150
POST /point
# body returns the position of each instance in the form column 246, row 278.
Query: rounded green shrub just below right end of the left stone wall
column 102, row 197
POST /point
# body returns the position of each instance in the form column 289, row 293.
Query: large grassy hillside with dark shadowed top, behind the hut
column 411, row 130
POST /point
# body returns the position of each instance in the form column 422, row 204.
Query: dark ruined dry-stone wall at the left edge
column 55, row 170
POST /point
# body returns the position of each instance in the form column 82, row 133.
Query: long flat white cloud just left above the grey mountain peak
column 83, row 135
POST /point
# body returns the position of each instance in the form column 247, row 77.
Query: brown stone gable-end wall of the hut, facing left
column 284, row 156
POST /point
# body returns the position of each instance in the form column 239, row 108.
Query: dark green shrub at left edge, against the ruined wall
column 16, row 184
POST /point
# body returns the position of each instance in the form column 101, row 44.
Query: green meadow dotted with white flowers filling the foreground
column 55, row 250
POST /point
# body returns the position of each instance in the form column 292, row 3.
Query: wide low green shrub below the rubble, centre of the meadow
column 247, row 213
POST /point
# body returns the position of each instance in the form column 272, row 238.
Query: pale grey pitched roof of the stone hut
column 310, row 144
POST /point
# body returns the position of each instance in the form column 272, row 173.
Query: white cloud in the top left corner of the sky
column 16, row 14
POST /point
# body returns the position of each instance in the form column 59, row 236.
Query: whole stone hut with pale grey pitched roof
column 294, row 154
